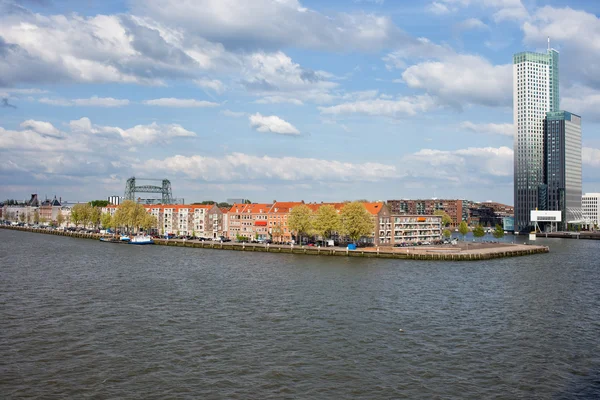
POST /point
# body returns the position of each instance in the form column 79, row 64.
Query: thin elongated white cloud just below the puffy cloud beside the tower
column 381, row 107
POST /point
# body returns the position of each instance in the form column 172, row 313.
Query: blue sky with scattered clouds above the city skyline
column 281, row 99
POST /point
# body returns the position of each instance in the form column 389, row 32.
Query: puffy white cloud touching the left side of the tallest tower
column 463, row 79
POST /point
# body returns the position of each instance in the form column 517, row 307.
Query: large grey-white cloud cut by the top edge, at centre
column 272, row 24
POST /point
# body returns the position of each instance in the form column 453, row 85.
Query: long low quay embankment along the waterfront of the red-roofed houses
column 474, row 253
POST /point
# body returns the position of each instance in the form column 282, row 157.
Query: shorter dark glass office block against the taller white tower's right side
column 562, row 156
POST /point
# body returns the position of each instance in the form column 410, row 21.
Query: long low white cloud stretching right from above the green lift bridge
column 239, row 167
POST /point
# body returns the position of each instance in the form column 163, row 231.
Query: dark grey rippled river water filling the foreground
column 84, row 319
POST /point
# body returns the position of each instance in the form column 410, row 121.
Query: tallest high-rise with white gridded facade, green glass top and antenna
column 535, row 92
